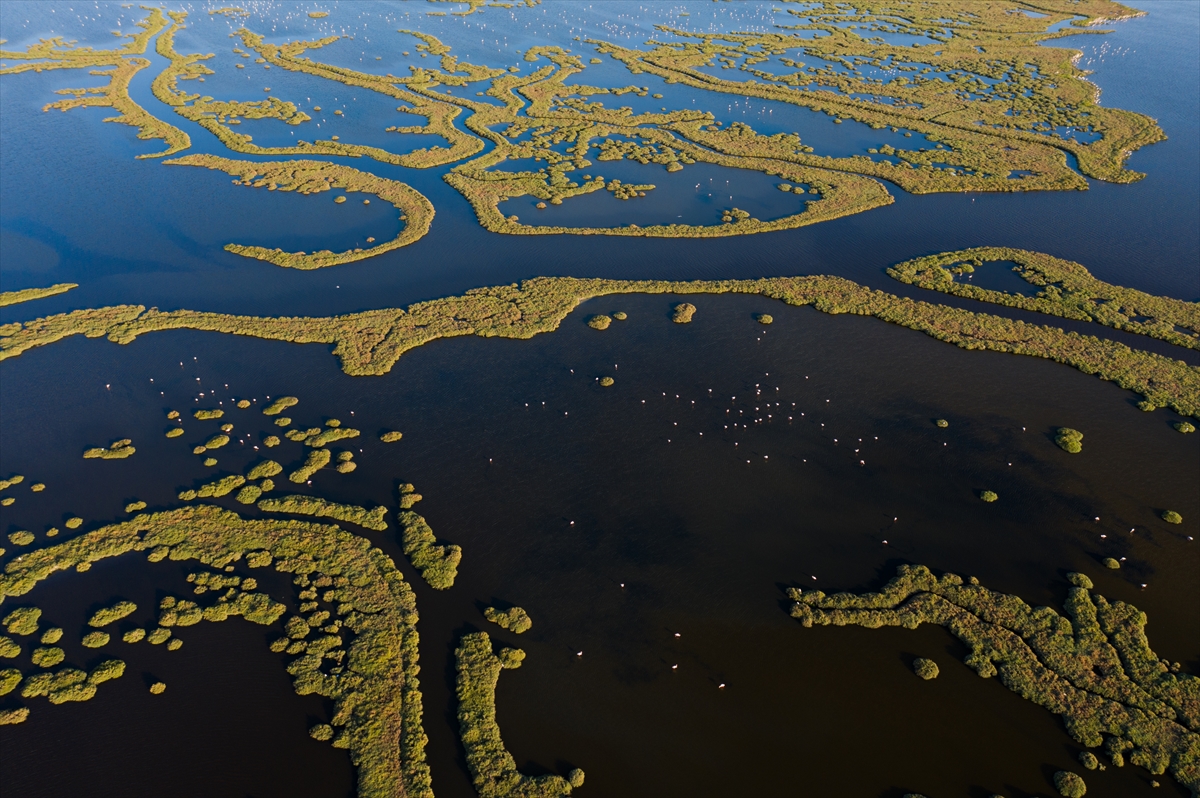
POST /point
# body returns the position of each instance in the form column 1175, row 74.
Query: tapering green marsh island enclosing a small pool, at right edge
column 1069, row 290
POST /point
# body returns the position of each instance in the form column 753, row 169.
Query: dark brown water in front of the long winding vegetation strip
column 703, row 541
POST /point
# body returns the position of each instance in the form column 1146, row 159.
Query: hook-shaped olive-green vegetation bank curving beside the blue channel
column 314, row 177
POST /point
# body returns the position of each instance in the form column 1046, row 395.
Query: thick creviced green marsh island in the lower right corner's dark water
column 1093, row 668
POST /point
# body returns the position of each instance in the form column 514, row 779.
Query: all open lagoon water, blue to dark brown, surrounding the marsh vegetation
column 704, row 542
